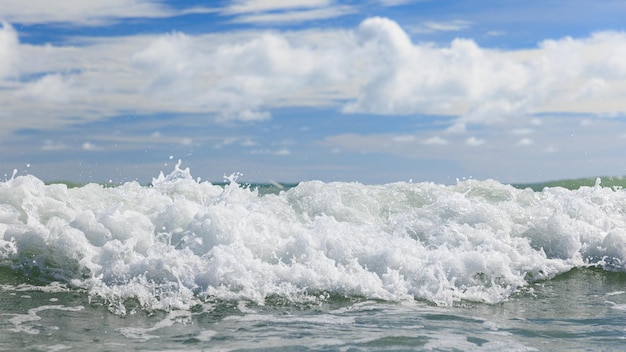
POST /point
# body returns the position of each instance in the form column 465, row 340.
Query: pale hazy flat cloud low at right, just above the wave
column 549, row 155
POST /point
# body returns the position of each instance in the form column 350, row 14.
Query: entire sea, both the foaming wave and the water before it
column 187, row 265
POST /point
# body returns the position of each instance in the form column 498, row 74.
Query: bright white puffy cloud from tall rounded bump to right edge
column 485, row 85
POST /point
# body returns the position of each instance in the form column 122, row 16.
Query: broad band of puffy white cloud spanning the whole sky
column 375, row 68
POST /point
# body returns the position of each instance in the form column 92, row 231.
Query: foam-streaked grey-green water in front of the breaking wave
column 583, row 310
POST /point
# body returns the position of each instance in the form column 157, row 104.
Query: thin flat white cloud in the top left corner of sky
column 90, row 13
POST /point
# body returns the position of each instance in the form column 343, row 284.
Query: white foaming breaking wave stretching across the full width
column 179, row 242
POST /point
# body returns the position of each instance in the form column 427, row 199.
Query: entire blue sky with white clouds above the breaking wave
column 373, row 91
